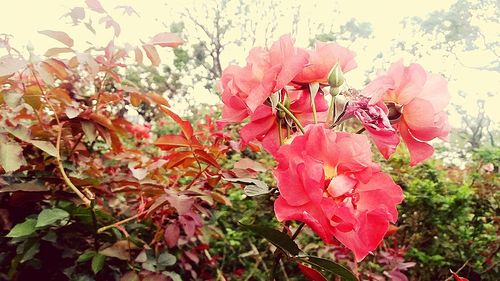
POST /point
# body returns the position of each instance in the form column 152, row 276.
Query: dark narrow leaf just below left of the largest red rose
column 277, row 238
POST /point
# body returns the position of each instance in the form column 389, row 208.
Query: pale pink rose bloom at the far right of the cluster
column 416, row 100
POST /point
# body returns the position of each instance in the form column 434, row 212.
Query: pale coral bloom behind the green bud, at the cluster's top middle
column 321, row 61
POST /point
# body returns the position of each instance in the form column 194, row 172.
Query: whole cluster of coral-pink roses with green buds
column 325, row 174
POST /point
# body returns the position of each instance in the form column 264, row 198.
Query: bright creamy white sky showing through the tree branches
column 23, row 18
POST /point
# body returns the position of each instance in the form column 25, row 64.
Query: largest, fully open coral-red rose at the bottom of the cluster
column 328, row 181
